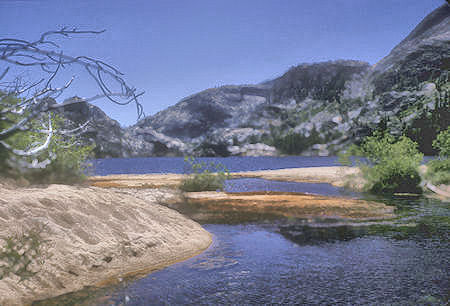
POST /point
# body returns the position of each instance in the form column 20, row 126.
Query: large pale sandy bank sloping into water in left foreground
column 89, row 236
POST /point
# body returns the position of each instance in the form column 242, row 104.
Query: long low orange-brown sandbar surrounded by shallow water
column 271, row 204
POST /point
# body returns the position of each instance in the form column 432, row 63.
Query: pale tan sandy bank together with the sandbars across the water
column 80, row 258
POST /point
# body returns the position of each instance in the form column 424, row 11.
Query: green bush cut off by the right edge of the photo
column 438, row 171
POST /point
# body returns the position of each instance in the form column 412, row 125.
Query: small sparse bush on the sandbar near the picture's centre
column 204, row 176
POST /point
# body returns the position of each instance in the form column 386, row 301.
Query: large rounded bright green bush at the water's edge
column 393, row 164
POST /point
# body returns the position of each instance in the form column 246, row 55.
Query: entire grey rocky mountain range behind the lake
column 312, row 109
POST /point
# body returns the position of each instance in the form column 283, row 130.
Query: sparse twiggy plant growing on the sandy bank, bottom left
column 21, row 254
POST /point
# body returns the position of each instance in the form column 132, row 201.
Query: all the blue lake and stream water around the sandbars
column 288, row 262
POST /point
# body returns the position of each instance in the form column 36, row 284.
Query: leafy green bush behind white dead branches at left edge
column 64, row 155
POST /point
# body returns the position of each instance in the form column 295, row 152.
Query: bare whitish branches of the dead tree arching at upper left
column 35, row 99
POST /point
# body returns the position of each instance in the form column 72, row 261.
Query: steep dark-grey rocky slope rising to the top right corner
column 407, row 85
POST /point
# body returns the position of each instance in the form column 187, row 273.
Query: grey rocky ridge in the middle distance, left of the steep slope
column 239, row 120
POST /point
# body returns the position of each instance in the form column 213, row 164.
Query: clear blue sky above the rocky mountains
column 172, row 49
